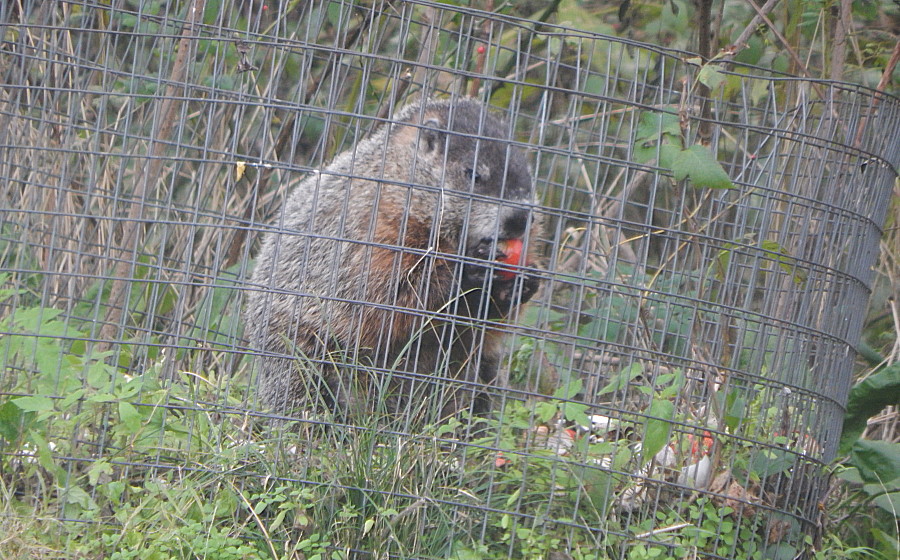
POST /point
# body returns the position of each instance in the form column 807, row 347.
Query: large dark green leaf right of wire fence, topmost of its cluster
column 867, row 399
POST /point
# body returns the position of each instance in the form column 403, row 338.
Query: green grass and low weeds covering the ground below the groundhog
column 97, row 463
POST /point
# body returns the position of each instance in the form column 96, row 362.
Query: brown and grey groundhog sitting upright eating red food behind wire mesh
column 383, row 281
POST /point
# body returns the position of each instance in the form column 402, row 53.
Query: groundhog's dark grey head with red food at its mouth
column 485, row 182
